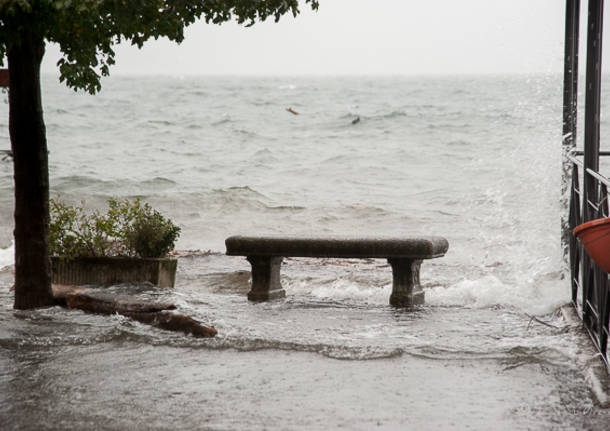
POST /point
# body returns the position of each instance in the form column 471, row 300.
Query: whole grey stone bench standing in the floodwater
column 405, row 255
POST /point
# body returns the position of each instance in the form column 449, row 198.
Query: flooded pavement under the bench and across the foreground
column 315, row 360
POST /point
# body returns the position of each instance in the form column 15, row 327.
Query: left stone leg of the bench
column 265, row 278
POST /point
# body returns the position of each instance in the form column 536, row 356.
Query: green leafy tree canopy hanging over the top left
column 87, row 30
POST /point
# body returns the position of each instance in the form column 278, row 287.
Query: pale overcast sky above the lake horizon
column 390, row 37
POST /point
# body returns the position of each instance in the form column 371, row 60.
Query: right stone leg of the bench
column 406, row 291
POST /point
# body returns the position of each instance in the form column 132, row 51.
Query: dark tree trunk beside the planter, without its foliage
column 29, row 146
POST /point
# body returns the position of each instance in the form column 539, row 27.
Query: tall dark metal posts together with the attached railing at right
column 588, row 194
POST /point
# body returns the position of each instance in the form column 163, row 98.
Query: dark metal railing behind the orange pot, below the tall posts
column 589, row 282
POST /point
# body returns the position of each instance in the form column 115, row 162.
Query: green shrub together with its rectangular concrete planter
column 125, row 244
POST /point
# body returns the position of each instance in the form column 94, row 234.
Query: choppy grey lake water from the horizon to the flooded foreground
column 474, row 159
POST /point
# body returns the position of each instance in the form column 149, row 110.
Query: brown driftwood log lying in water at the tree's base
column 152, row 313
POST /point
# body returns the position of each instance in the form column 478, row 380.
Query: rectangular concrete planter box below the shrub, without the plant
column 112, row 270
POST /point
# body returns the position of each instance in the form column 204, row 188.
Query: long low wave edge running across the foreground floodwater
column 118, row 329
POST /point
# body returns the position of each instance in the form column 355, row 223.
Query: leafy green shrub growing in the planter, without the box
column 128, row 228
